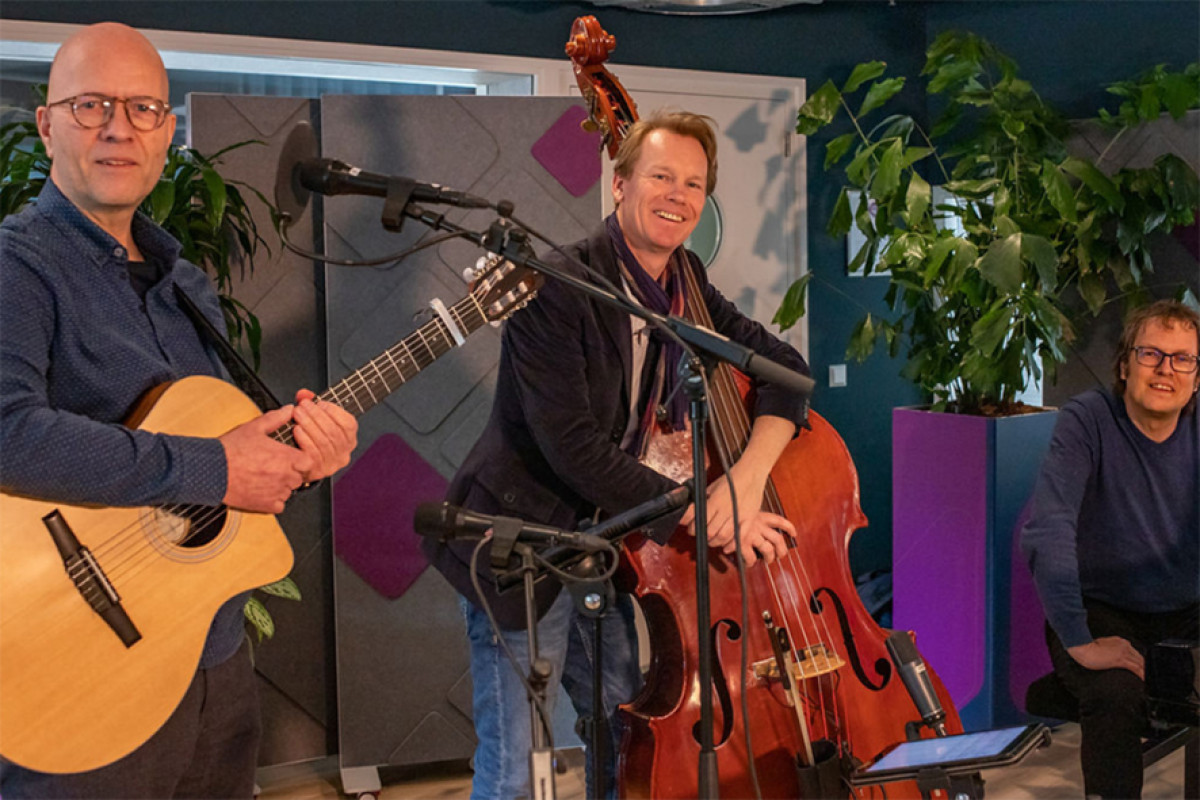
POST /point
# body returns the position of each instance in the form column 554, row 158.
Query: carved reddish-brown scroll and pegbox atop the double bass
column 610, row 109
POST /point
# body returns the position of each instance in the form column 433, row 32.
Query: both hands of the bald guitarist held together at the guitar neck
column 263, row 472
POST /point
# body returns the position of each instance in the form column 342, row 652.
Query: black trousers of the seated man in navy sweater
column 1113, row 702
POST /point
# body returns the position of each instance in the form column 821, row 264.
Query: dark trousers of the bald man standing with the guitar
column 207, row 749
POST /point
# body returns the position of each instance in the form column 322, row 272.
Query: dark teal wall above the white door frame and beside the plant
column 1070, row 50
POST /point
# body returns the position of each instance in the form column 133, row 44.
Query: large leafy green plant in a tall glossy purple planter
column 992, row 236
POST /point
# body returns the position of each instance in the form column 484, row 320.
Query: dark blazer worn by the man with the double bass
column 551, row 452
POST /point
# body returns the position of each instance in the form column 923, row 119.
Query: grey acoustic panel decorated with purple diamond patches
column 404, row 683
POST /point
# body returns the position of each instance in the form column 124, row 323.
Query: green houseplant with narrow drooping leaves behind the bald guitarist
column 207, row 213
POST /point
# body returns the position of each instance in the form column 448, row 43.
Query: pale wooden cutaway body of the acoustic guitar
column 74, row 697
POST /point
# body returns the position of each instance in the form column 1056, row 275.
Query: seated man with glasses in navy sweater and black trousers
column 1114, row 537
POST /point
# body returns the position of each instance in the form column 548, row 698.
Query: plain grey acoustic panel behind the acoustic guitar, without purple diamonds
column 286, row 292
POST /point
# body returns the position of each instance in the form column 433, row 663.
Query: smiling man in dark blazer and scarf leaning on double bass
column 580, row 388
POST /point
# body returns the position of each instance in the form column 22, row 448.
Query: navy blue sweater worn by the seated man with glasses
column 1115, row 516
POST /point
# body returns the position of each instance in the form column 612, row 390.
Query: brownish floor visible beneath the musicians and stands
column 1049, row 774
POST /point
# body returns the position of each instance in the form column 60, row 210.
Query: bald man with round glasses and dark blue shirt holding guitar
column 89, row 324
